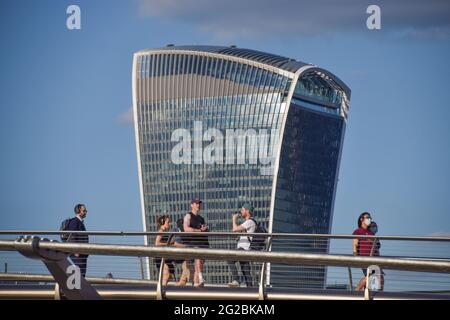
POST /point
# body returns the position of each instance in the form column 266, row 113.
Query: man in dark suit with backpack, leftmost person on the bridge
column 77, row 224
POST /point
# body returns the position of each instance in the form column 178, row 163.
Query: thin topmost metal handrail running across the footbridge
column 273, row 235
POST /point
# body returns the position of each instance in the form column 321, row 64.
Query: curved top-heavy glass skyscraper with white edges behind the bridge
column 230, row 125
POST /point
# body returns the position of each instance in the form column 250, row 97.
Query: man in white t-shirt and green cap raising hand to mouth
column 248, row 226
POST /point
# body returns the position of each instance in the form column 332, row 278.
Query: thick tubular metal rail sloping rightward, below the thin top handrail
column 236, row 255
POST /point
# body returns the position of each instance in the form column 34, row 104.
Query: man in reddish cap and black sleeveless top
column 194, row 222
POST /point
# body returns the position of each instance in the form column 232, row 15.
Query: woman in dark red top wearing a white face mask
column 363, row 247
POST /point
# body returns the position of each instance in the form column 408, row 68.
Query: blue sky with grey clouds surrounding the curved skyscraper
column 65, row 136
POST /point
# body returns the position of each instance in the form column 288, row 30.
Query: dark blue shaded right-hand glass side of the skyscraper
column 305, row 189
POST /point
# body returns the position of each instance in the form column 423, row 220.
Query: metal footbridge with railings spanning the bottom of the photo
column 292, row 266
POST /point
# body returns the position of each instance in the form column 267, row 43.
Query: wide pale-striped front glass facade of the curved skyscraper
column 176, row 90
